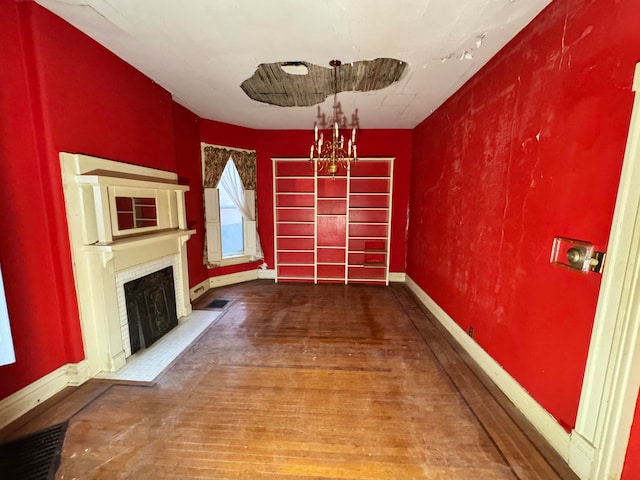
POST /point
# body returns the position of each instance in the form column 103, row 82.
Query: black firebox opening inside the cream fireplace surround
column 151, row 307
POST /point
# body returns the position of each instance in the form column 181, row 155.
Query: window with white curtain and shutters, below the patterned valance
column 230, row 220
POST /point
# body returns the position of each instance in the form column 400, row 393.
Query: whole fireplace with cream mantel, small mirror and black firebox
column 115, row 242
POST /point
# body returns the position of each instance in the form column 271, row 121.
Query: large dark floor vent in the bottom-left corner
column 33, row 457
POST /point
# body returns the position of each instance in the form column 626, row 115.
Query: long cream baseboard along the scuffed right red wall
column 542, row 420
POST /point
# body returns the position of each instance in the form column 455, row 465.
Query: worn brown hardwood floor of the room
column 299, row 381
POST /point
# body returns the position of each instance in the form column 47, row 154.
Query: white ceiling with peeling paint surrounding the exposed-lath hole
column 202, row 50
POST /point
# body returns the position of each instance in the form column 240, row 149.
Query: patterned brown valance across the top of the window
column 215, row 159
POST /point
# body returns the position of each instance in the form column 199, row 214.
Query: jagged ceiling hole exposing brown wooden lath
column 271, row 84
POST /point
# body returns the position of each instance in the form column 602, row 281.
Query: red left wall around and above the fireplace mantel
column 61, row 91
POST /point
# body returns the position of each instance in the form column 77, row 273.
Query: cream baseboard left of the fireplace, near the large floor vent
column 29, row 397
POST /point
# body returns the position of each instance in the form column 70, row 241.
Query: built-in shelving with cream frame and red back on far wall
column 332, row 229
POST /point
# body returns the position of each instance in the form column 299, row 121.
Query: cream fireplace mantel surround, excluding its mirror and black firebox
column 100, row 250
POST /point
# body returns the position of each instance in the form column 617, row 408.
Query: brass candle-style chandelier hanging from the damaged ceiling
column 332, row 153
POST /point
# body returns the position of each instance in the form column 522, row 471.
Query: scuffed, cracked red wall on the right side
column 528, row 149
